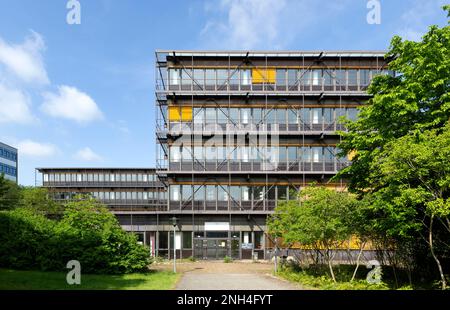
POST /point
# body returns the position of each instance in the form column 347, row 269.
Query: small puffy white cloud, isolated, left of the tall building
column 70, row 103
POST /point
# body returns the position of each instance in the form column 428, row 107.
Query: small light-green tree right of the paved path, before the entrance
column 317, row 219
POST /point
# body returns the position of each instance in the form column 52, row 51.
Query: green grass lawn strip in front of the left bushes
column 38, row 280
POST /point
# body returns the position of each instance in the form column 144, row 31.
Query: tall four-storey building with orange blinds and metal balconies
column 239, row 131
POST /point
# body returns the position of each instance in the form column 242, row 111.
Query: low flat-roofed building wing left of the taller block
column 128, row 192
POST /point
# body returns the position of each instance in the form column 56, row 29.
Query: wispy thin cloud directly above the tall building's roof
column 262, row 24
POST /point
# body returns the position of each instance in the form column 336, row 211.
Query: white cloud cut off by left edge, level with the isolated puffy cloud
column 15, row 106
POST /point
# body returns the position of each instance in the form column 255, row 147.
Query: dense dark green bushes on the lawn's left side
column 87, row 232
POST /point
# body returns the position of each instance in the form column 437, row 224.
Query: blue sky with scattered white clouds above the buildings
column 83, row 95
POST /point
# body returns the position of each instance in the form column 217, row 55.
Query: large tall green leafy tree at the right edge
column 400, row 142
